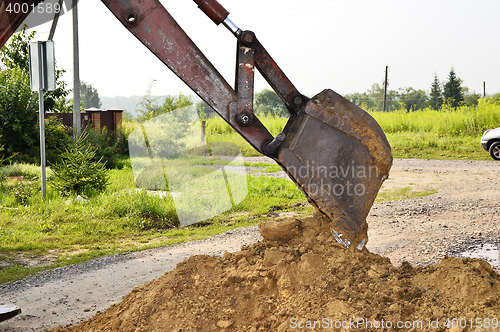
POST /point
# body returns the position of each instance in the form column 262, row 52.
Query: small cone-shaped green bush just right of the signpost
column 77, row 172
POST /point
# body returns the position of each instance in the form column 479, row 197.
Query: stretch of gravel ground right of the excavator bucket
column 462, row 215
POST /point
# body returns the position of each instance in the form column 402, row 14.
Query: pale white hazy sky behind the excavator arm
column 339, row 44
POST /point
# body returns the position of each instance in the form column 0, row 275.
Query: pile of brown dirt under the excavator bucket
column 299, row 278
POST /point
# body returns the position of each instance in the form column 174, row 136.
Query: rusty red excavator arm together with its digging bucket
column 335, row 152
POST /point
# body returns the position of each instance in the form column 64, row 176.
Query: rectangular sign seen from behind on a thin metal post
column 42, row 78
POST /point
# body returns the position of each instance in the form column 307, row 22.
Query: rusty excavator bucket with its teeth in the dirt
column 339, row 156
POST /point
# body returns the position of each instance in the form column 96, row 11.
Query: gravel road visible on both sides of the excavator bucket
column 462, row 215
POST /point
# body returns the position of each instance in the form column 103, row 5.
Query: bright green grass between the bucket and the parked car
column 445, row 134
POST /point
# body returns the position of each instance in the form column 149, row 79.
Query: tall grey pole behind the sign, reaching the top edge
column 76, row 75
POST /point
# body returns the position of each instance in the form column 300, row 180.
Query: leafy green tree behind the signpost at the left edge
column 19, row 105
